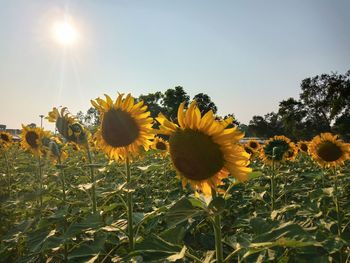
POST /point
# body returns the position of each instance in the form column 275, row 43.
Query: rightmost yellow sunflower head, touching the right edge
column 329, row 151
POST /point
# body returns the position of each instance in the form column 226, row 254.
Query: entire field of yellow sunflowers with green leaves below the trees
column 139, row 189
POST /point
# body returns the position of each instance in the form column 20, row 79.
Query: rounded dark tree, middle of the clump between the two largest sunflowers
column 172, row 100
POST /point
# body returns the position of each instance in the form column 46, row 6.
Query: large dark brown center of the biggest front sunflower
column 195, row 155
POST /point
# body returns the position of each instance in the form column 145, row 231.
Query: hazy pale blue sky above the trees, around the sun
column 247, row 55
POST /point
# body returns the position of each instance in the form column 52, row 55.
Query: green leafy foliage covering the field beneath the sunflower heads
column 170, row 223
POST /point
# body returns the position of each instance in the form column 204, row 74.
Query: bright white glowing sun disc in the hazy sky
column 65, row 33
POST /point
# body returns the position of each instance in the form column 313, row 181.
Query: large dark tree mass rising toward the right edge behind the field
column 323, row 106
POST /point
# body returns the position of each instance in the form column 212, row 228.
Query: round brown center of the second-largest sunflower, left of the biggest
column 119, row 129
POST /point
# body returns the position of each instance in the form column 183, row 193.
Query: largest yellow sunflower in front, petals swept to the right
column 202, row 150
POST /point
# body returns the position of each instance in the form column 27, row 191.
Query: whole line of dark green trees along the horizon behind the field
column 323, row 106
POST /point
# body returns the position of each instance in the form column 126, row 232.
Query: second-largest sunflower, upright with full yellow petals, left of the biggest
column 125, row 128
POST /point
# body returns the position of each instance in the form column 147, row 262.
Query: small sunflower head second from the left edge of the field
column 33, row 139
